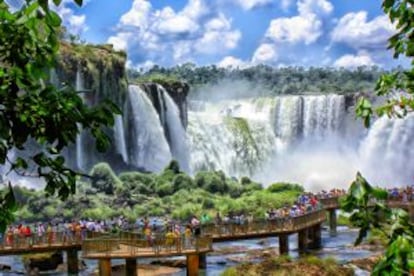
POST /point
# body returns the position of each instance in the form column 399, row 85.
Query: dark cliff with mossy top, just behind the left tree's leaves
column 101, row 73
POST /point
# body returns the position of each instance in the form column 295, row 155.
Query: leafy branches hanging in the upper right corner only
column 398, row 86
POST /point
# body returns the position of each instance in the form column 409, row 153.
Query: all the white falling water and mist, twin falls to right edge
column 313, row 140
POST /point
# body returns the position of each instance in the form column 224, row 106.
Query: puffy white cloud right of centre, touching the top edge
column 306, row 27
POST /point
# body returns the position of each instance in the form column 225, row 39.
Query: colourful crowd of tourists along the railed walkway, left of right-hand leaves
column 152, row 228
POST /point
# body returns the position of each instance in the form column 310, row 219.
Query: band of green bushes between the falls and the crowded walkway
column 171, row 193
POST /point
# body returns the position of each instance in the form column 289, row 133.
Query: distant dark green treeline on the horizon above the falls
column 284, row 80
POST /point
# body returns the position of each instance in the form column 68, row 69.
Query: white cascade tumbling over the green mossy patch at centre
column 233, row 136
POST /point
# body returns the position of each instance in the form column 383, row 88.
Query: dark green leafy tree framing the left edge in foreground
column 33, row 110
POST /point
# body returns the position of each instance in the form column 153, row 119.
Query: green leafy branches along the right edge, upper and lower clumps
column 362, row 199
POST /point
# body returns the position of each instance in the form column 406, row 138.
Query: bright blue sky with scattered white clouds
column 238, row 33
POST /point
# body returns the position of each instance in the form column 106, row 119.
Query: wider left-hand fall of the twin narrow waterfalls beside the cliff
column 148, row 147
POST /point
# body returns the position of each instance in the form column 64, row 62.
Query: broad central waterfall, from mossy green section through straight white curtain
column 265, row 137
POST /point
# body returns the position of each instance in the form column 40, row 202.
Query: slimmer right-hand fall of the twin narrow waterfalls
column 176, row 132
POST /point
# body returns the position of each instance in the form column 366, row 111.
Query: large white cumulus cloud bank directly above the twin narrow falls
column 169, row 36
